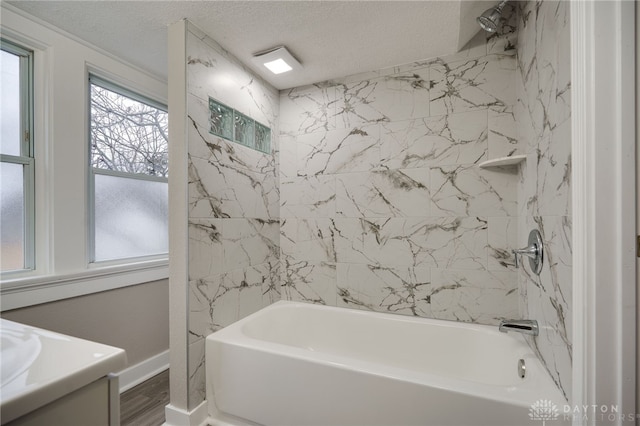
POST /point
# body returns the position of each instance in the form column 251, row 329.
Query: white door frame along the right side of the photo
column 604, row 205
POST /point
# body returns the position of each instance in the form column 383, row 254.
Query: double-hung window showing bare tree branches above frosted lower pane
column 129, row 174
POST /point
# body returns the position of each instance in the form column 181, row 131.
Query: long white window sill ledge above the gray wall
column 28, row 291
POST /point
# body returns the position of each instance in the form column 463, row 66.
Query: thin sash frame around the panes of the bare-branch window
column 93, row 171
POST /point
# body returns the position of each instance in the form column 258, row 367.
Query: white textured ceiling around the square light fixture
column 331, row 38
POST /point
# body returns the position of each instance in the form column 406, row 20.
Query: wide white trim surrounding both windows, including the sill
column 61, row 67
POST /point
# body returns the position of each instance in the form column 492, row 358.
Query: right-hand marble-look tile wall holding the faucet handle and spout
column 543, row 113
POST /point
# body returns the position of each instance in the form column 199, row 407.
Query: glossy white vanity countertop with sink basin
column 40, row 366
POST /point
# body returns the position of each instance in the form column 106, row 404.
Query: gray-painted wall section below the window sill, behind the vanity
column 134, row 318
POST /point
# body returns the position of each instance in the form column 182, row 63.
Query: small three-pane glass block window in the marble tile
column 237, row 127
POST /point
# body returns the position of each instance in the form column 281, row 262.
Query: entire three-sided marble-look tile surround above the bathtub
column 372, row 197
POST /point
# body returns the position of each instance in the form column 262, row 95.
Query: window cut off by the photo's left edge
column 16, row 159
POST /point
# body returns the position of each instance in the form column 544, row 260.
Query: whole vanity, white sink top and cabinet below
column 52, row 379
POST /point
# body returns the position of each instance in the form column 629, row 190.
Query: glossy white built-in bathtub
column 301, row 364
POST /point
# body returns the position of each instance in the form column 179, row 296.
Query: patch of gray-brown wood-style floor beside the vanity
column 144, row 404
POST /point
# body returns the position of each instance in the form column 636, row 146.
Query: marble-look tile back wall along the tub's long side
column 383, row 206
